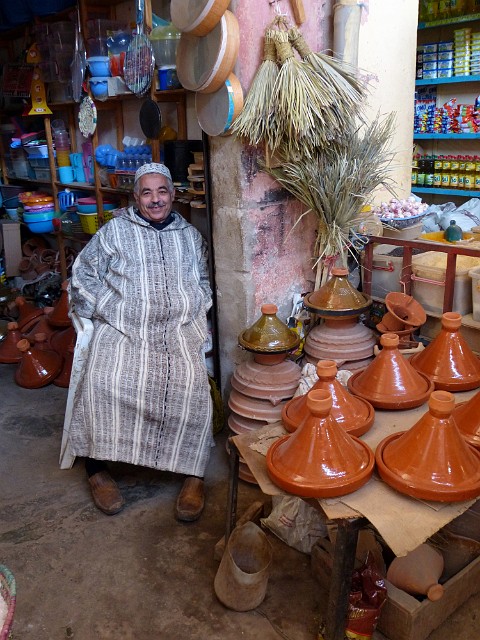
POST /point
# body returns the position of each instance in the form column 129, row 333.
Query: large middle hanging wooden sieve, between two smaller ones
column 205, row 62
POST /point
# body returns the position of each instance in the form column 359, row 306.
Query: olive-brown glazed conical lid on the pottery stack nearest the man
column 269, row 334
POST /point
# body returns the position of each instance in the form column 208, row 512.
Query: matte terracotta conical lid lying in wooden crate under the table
column 418, row 572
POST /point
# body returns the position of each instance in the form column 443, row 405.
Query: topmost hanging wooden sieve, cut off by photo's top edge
column 197, row 18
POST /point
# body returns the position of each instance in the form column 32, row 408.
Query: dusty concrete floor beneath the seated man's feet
column 140, row 574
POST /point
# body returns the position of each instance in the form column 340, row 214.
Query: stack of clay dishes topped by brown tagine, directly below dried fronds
column 340, row 336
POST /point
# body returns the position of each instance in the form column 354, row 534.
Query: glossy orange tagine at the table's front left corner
column 319, row 460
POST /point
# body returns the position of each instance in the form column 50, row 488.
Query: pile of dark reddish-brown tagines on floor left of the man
column 41, row 342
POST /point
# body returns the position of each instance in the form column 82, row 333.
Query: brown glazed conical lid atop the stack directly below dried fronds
column 337, row 297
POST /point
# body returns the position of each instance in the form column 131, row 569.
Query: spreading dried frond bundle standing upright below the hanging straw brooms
column 336, row 182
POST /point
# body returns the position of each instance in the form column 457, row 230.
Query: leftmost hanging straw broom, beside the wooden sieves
column 257, row 116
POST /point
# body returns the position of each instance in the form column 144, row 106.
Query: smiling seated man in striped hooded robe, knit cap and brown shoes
column 144, row 396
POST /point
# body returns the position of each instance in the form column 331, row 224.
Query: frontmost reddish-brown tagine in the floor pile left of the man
column 36, row 368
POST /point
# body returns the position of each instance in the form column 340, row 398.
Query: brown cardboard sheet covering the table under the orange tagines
column 403, row 522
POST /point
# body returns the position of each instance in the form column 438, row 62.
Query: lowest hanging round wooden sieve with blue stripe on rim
column 217, row 111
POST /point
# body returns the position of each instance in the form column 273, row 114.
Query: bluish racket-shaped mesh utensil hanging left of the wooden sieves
column 139, row 59
